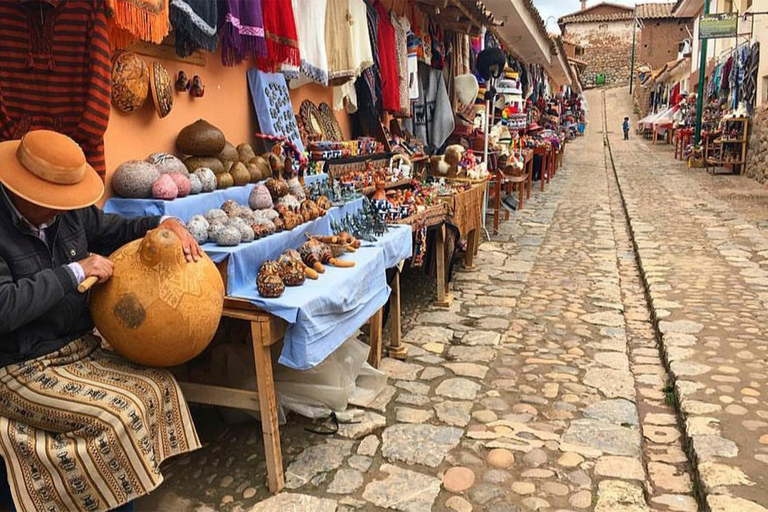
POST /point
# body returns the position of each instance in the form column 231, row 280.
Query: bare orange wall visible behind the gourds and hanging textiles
column 226, row 104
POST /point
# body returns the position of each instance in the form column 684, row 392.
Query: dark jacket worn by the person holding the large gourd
column 40, row 307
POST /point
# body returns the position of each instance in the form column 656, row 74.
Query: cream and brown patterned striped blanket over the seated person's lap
column 81, row 429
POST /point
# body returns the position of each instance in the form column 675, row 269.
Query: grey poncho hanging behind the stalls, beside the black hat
column 433, row 120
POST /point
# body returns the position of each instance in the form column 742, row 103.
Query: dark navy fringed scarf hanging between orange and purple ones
column 194, row 25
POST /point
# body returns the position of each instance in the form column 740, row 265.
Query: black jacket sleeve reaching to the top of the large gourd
column 108, row 232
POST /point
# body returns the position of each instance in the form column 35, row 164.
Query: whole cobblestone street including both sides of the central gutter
column 545, row 385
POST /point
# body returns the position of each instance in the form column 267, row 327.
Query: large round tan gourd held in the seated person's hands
column 157, row 309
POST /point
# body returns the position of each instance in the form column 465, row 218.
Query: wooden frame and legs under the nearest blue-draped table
column 267, row 331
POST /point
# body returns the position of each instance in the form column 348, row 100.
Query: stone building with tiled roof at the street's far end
column 604, row 34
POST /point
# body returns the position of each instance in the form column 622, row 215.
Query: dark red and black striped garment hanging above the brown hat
column 39, row 89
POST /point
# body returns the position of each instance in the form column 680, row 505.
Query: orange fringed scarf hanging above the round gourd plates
column 132, row 20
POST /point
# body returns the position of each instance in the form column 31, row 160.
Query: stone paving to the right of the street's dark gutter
column 705, row 264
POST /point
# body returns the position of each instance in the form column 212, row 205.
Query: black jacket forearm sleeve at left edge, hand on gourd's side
column 25, row 300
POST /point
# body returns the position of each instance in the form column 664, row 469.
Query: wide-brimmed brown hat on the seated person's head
column 49, row 169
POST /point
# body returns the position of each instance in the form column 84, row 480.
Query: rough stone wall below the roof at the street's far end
column 607, row 50
